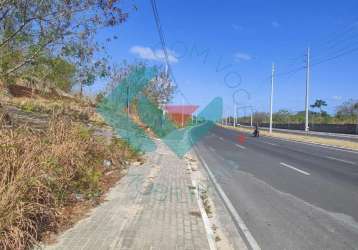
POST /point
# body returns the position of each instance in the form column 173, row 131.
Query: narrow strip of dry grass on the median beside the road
column 304, row 138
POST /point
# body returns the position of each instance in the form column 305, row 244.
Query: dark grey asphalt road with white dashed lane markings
column 290, row 195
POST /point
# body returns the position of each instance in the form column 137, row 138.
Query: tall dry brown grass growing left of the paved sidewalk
column 43, row 174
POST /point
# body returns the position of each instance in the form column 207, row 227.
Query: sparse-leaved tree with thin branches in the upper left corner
column 31, row 30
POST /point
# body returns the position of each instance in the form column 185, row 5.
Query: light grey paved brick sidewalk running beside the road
column 152, row 207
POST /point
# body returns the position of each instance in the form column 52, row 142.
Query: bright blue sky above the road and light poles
column 212, row 43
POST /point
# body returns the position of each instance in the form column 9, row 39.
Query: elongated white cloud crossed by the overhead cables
column 154, row 55
